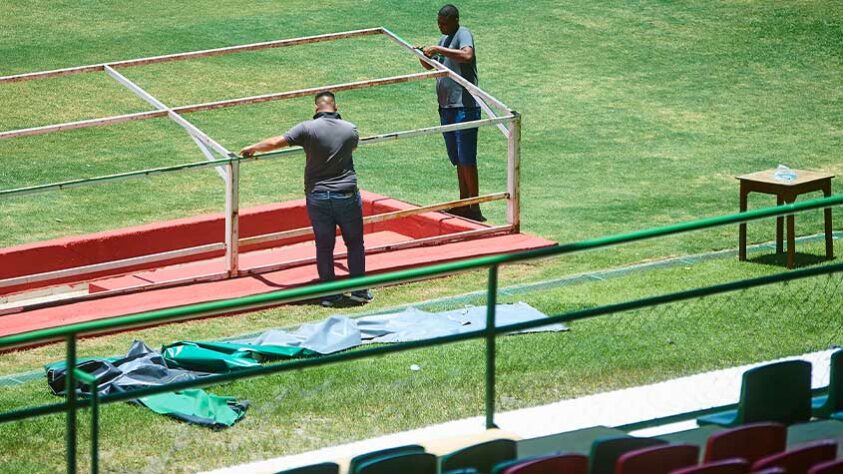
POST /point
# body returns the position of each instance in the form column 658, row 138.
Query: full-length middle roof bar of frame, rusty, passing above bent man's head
column 216, row 105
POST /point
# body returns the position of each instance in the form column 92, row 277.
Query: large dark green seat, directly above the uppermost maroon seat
column 779, row 392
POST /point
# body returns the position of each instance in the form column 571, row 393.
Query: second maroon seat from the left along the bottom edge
column 658, row 459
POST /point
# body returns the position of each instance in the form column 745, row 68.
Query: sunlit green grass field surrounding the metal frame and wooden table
column 636, row 114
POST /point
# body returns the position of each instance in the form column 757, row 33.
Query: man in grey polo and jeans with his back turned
column 330, row 185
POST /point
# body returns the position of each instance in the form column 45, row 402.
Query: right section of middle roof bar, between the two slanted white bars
column 308, row 92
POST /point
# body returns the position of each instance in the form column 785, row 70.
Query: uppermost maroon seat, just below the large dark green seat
column 751, row 442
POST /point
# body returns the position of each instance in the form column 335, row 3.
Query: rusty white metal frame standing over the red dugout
column 227, row 163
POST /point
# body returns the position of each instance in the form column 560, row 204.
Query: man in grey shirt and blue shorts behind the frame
column 455, row 51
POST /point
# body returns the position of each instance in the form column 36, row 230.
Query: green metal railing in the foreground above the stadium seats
column 70, row 333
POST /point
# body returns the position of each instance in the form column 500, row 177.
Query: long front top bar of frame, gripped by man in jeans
column 223, row 161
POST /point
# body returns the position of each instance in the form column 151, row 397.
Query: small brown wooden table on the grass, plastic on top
column 786, row 193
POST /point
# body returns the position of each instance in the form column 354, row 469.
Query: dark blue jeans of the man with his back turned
column 327, row 210
